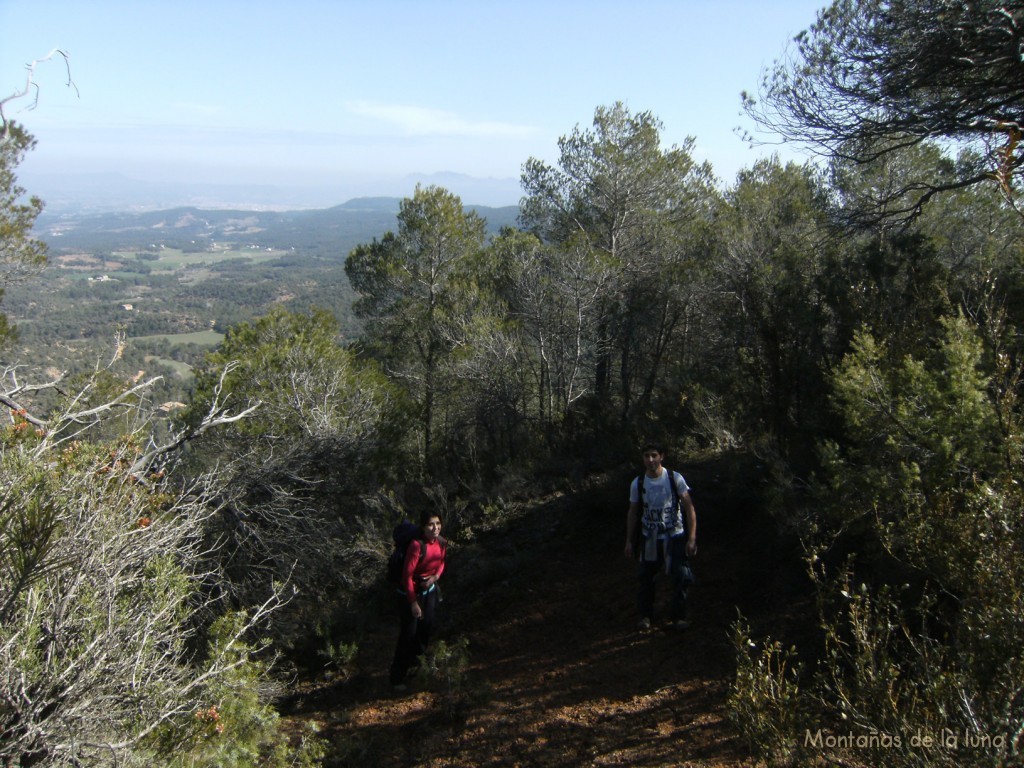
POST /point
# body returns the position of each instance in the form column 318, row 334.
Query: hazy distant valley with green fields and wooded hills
column 174, row 282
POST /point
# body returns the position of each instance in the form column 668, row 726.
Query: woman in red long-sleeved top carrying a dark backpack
column 418, row 596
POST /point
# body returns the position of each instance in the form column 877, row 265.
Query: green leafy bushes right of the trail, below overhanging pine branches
column 921, row 663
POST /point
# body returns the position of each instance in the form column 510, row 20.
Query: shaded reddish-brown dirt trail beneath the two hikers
column 559, row 673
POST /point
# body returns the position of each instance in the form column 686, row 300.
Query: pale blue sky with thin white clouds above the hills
column 368, row 93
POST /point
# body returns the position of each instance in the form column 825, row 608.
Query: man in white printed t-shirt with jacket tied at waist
column 661, row 534
